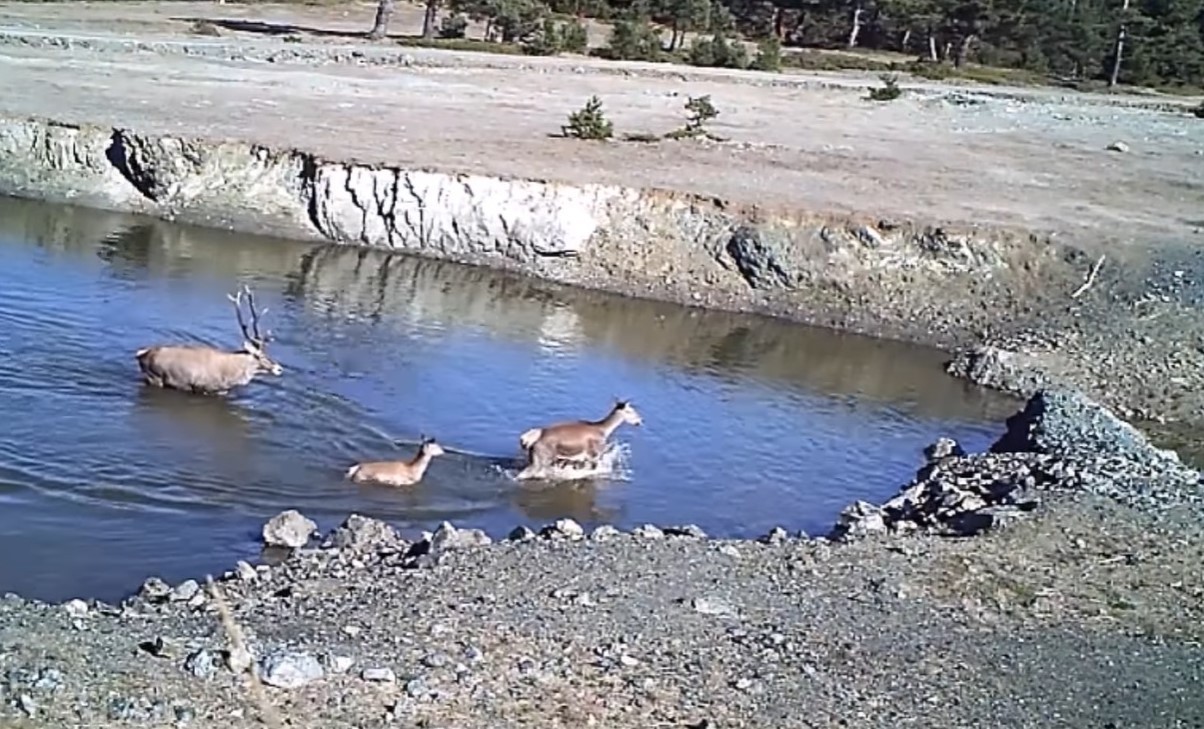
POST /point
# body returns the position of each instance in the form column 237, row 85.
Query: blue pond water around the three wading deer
column 749, row 424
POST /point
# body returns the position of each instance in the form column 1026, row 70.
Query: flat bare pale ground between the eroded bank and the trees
column 1032, row 160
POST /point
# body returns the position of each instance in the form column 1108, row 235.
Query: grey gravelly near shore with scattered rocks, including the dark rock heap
column 1084, row 565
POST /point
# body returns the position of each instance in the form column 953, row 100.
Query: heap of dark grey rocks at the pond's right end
column 1060, row 442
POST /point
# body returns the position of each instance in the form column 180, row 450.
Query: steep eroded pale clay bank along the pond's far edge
column 1000, row 301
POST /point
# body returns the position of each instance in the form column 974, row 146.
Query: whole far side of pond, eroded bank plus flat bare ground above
column 977, row 215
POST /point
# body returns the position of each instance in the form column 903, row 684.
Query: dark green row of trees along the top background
column 1140, row 43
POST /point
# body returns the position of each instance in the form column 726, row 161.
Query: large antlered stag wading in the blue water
column 208, row 371
